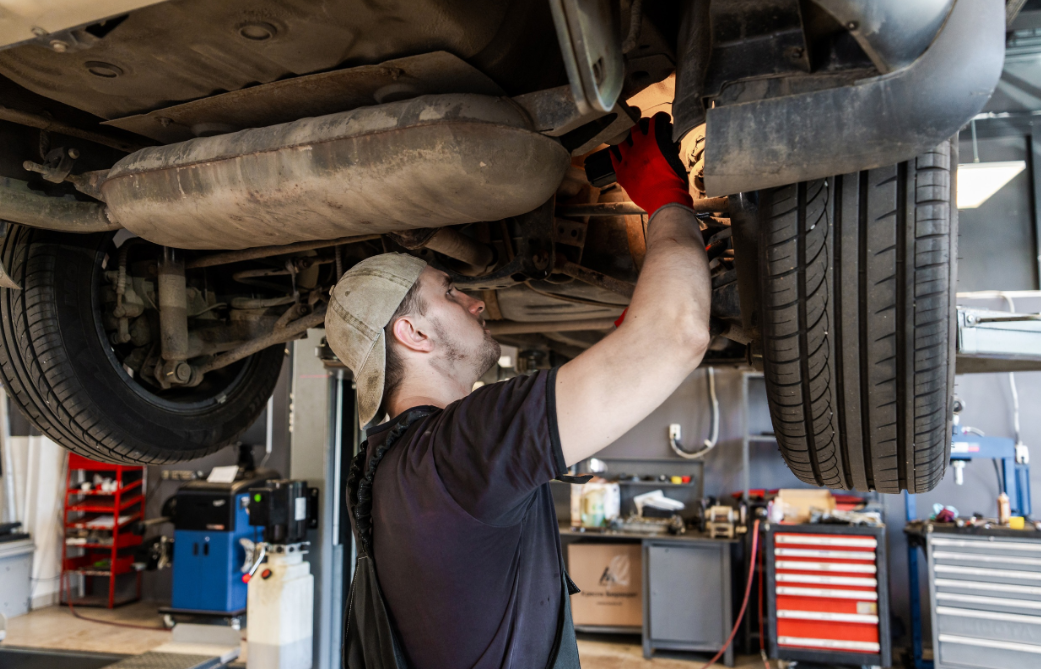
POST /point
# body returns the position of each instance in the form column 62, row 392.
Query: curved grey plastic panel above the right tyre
column 877, row 122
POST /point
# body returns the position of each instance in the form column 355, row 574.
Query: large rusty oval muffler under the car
column 426, row 163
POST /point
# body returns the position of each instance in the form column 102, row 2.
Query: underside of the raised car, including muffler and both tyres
column 184, row 183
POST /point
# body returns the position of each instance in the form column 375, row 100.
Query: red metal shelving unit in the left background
column 98, row 546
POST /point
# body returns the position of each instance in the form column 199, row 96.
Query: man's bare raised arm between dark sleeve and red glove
column 608, row 390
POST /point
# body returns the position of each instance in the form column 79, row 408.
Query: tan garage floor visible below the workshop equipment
column 55, row 628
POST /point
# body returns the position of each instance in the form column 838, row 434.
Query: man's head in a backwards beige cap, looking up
column 400, row 326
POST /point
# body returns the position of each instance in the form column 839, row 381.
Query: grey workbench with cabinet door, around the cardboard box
column 689, row 589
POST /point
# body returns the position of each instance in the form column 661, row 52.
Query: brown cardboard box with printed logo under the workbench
column 612, row 579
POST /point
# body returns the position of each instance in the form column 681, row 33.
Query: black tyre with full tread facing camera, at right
column 857, row 303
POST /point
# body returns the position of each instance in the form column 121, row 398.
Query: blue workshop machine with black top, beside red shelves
column 209, row 557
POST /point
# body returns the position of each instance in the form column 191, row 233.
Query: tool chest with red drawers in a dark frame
column 828, row 595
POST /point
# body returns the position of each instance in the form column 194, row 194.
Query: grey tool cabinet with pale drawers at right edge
column 985, row 593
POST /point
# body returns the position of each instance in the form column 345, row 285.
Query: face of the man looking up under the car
column 463, row 345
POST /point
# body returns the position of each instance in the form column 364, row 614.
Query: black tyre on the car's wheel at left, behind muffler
column 61, row 372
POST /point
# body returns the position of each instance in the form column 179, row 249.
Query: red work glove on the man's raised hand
column 648, row 166
